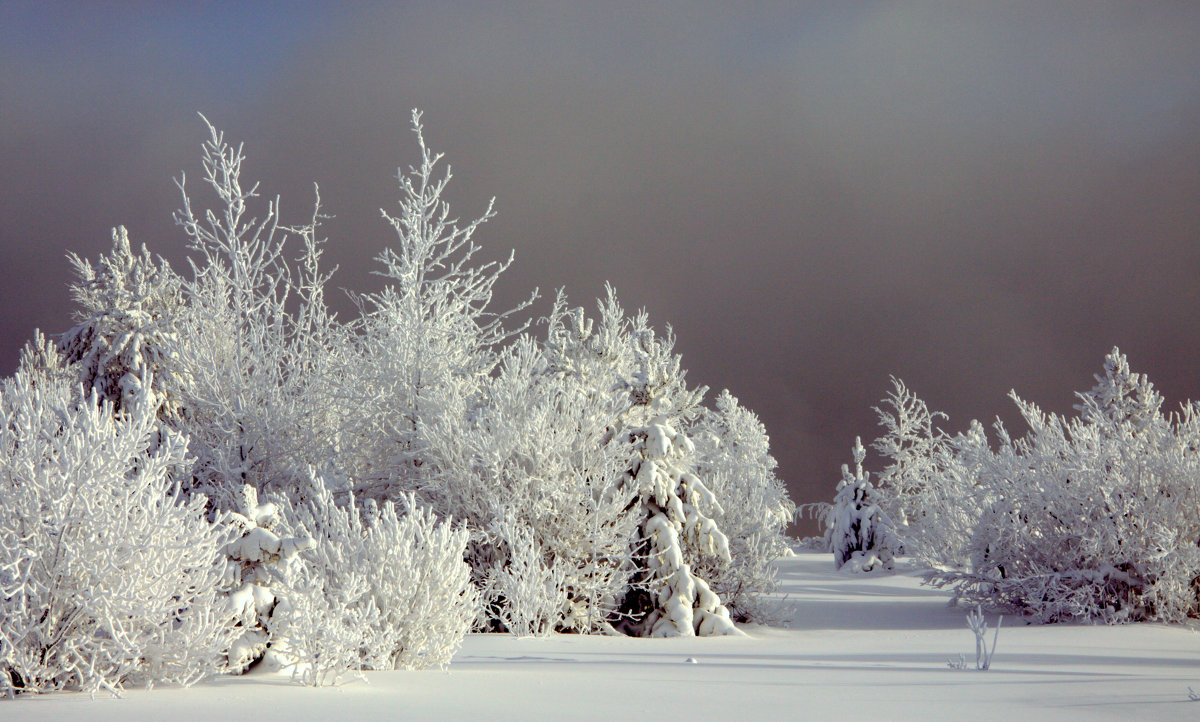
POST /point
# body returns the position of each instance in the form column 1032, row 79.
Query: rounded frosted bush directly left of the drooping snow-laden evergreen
column 537, row 476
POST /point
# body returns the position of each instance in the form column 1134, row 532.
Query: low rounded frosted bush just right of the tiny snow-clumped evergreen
column 385, row 588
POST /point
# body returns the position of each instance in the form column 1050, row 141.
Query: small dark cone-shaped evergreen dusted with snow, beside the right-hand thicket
column 860, row 534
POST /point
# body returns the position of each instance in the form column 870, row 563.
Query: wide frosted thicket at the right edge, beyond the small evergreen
column 1088, row 518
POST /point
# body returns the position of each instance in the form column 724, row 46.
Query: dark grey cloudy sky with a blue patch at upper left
column 971, row 196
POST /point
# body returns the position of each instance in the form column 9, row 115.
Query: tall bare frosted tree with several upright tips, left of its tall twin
column 262, row 400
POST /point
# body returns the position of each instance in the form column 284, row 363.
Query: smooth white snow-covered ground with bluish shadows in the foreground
column 873, row 648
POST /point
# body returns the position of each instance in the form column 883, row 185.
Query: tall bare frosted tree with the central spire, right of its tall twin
column 429, row 340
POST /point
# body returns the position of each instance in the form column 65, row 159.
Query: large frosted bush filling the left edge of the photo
column 109, row 575
